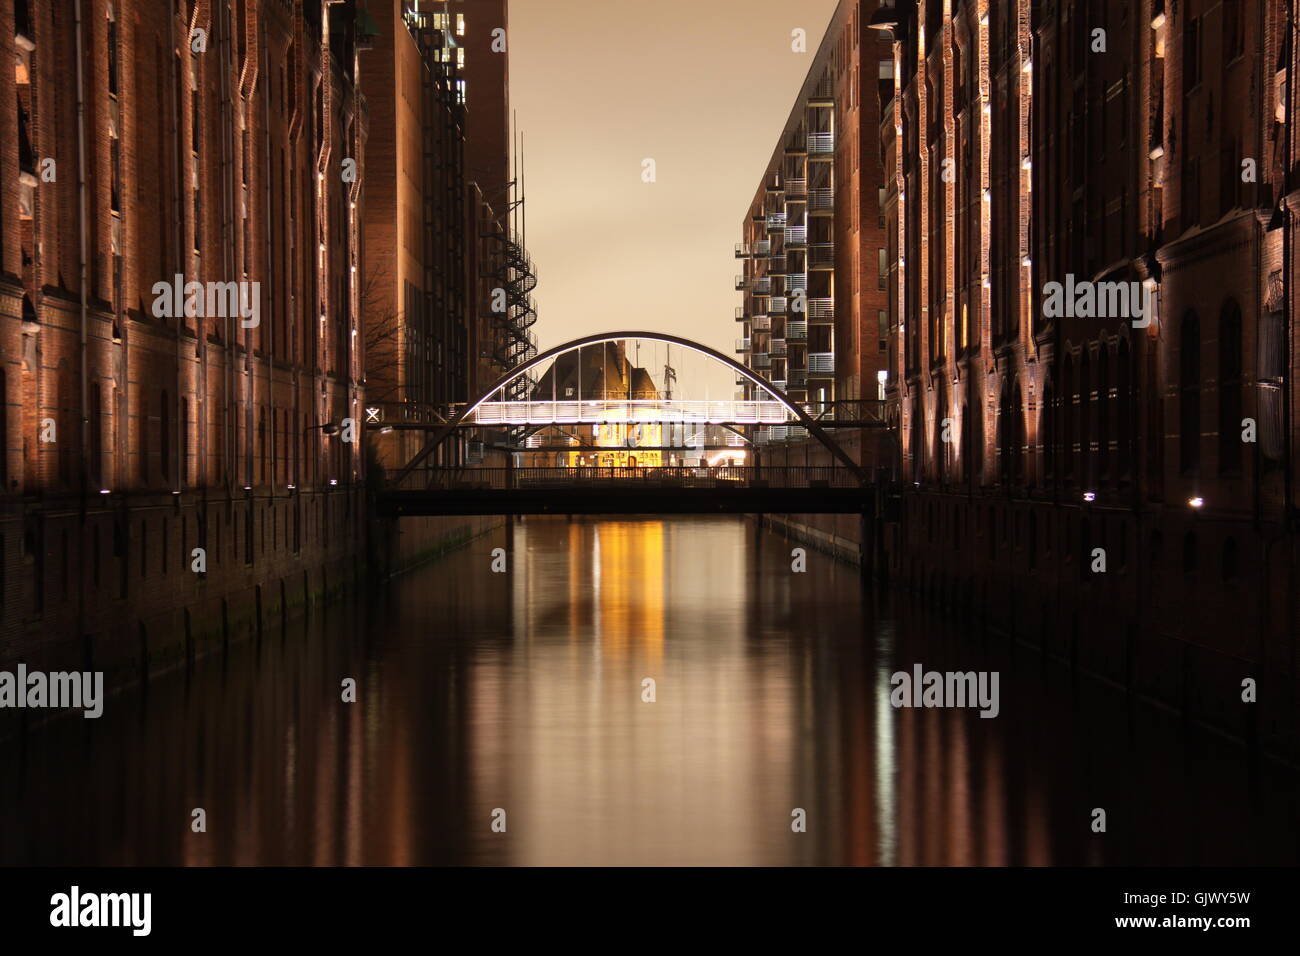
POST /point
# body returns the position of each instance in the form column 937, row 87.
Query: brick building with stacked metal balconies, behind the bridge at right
column 814, row 233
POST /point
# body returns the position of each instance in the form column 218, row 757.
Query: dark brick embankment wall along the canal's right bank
column 1190, row 615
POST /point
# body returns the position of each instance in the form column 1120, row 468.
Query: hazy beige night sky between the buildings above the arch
column 703, row 88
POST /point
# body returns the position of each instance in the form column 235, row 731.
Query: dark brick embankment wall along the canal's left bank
column 141, row 585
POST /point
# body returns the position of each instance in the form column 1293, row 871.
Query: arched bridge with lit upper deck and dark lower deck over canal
column 627, row 466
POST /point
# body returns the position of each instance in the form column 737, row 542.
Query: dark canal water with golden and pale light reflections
column 523, row 693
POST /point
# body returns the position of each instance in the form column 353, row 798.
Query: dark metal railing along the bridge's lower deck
column 721, row 478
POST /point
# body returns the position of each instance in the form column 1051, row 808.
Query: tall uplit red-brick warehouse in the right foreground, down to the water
column 1132, row 159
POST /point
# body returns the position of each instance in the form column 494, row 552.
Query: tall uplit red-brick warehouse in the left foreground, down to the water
column 154, row 146
